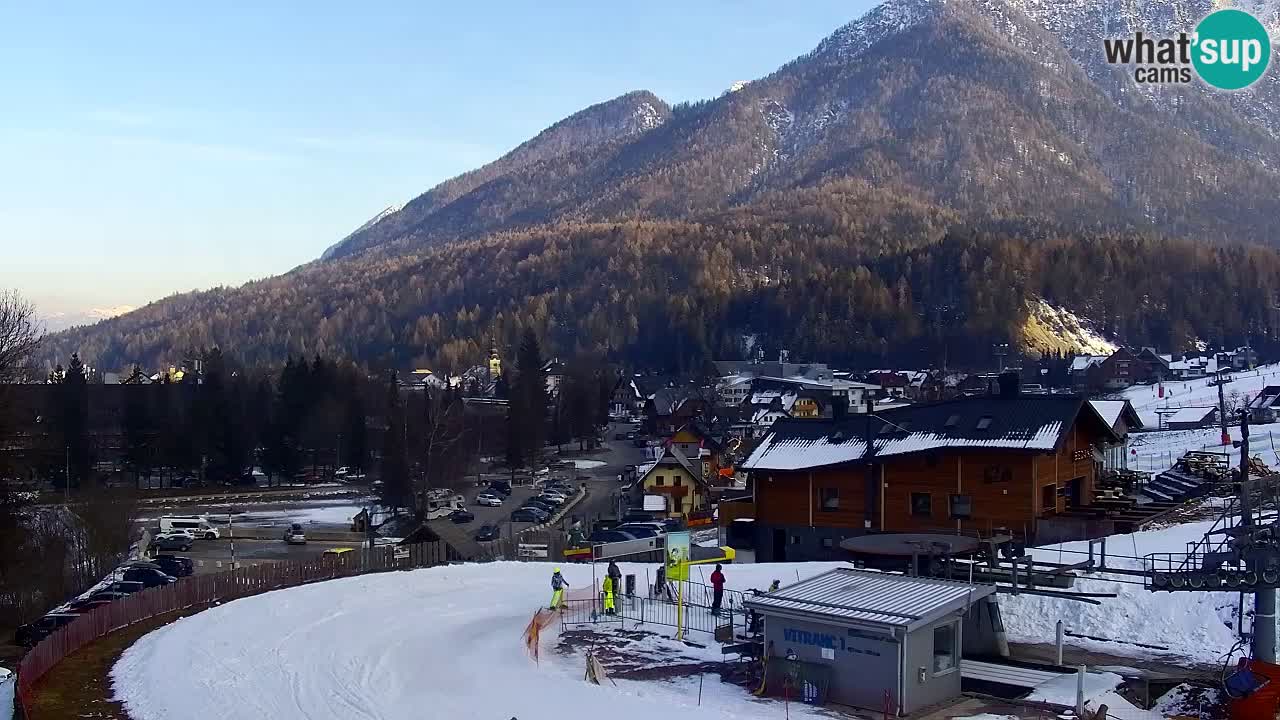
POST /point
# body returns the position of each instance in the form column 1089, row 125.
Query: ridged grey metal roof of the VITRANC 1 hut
column 866, row 598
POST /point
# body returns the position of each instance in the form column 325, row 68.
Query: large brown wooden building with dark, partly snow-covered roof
column 1008, row 462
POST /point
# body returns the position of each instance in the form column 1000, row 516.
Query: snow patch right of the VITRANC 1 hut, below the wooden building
column 1197, row 627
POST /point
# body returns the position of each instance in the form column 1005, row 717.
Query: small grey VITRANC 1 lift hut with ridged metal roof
column 875, row 641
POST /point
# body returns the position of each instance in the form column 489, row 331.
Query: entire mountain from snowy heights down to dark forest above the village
column 913, row 188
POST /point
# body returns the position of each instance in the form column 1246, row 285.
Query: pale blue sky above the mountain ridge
column 154, row 149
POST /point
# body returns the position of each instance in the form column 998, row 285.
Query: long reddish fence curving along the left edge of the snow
column 204, row 590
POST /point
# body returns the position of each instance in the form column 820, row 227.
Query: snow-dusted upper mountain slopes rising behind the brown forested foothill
column 985, row 107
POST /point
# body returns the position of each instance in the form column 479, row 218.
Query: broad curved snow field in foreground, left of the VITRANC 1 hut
column 429, row 644
